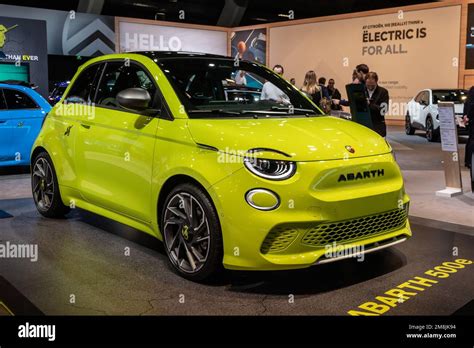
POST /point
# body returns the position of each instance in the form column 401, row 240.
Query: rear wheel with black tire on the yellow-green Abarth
column 45, row 188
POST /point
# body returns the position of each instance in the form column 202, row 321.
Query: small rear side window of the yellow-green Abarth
column 83, row 88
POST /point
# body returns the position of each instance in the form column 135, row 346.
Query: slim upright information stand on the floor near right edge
column 449, row 146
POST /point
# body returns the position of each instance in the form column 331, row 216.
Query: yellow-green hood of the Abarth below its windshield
column 298, row 139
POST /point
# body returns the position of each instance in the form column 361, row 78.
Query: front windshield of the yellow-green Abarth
column 219, row 87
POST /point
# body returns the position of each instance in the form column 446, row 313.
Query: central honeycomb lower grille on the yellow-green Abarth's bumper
column 359, row 228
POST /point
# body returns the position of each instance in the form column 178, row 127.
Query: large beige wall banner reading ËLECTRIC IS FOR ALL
column 410, row 51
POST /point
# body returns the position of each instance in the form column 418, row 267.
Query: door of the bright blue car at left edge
column 27, row 118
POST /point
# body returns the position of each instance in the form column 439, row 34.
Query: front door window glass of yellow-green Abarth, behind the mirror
column 119, row 76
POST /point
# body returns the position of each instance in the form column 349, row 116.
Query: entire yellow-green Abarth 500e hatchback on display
column 225, row 161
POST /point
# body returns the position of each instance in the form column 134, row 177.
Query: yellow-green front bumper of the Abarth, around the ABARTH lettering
column 317, row 215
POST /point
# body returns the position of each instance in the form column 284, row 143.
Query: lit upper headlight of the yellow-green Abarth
column 270, row 169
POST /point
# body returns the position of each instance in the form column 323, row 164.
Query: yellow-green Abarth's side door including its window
column 115, row 147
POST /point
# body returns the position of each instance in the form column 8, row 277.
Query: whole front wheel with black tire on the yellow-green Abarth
column 192, row 233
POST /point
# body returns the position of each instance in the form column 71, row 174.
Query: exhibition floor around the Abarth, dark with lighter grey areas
column 83, row 256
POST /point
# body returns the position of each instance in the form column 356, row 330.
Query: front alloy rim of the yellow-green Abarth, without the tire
column 186, row 232
